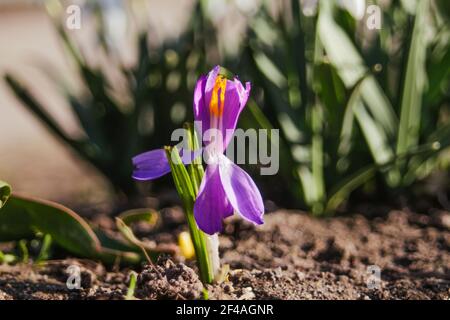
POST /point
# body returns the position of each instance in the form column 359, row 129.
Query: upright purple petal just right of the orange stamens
column 236, row 97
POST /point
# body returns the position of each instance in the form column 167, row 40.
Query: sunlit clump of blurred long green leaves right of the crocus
column 328, row 84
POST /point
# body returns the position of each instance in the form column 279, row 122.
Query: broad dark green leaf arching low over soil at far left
column 22, row 217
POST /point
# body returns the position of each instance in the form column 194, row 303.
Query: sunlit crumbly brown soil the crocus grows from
column 293, row 256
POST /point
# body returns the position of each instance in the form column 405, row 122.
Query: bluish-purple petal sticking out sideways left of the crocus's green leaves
column 150, row 165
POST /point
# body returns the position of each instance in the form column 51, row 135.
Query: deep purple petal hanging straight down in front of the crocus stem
column 211, row 205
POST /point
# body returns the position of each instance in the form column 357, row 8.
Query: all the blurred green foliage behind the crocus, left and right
column 351, row 104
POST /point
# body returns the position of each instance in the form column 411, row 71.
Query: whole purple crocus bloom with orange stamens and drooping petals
column 225, row 187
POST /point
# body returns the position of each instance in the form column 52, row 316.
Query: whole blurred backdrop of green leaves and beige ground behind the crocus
column 358, row 89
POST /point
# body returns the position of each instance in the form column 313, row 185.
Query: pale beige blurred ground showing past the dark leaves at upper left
column 31, row 158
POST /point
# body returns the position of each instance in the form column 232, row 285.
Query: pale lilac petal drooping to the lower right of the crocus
column 241, row 191
